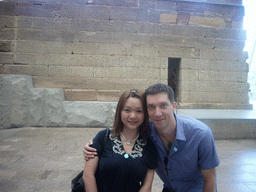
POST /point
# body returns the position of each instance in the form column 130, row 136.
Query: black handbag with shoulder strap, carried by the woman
column 77, row 184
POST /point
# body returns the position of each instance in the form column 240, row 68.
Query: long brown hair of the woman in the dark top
column 118, row 124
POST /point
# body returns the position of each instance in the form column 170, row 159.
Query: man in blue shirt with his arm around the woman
column 186, row 146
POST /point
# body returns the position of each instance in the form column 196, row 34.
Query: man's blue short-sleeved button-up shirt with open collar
column 193, row 149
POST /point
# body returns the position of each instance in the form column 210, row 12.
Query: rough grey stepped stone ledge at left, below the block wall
column 22, row 105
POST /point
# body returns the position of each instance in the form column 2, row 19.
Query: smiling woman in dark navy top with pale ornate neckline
column 127, row 160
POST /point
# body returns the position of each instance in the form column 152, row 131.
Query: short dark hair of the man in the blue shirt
column 160, row 88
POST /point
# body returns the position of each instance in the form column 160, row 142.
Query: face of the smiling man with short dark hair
column 160, row 110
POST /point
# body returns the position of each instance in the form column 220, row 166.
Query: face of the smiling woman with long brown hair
column 132, row 115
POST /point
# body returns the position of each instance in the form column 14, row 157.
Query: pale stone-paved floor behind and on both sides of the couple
column 46, row 159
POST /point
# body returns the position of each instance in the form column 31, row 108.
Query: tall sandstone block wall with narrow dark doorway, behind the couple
column 95, row 49
